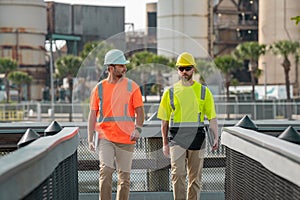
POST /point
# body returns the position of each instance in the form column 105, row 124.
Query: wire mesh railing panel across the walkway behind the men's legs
column 150, row 169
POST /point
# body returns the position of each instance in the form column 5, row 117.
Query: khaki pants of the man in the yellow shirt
column 186, row 163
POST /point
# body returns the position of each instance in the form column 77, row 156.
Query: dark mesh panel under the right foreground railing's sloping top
column 248, row 179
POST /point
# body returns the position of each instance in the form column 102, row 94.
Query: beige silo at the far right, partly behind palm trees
column 275, row 24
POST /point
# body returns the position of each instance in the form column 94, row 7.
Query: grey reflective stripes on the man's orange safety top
column 116, row 118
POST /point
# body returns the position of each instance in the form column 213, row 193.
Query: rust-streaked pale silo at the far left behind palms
column 22, row 37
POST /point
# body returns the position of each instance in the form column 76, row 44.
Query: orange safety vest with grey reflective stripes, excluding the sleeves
column 116, row 115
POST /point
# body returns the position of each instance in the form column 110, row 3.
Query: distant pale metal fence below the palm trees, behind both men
column 78, row 112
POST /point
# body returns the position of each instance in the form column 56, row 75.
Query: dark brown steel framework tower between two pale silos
column 234, row 22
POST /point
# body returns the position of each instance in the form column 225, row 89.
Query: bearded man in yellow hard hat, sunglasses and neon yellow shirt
column 182, row 110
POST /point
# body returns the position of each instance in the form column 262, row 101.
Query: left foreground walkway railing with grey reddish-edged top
column 44, row 169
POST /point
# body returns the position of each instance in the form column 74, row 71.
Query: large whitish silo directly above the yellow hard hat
column 182, row 26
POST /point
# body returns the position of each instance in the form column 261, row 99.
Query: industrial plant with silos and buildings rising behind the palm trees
column 206, row 28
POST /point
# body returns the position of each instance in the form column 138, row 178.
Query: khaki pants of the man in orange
column 114, row 156
